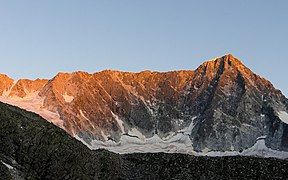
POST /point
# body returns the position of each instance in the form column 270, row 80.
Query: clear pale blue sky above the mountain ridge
column 41, row 38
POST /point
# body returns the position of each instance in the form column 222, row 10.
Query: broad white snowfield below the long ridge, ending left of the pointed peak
column 135, row 141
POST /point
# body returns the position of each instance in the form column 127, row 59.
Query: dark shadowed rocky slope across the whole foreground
column 32, row 148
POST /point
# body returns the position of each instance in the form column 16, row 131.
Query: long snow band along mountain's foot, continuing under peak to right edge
column 179, row 143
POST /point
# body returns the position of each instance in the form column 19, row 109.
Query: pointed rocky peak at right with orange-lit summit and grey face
column 234, row 107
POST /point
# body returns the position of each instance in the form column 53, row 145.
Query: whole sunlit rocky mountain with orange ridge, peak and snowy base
column 221, row 106
